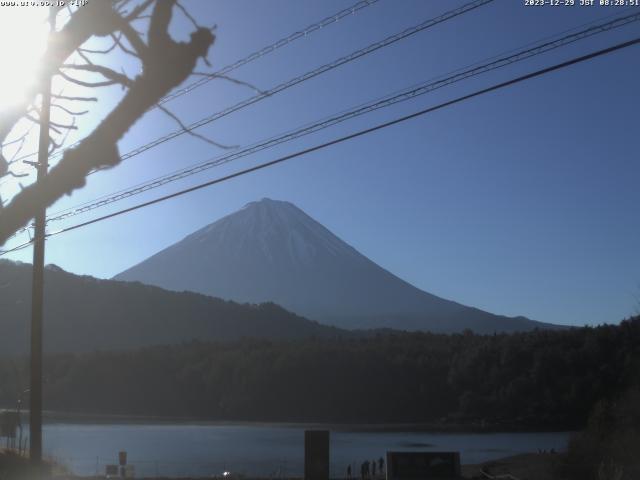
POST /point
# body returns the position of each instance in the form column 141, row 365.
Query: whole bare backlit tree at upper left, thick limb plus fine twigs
column 165, row 64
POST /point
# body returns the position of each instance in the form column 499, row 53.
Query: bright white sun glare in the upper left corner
column 23, row 34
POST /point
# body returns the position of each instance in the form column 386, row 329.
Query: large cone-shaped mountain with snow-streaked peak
column 272, row 251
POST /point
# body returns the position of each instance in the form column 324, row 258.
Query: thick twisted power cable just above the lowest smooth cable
column 404, row 95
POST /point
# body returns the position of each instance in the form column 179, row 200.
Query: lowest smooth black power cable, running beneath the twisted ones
column 359, row 133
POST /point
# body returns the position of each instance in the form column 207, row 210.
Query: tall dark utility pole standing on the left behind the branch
column 37, row 286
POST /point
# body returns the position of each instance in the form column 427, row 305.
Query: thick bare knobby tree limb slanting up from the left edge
column 166, row 64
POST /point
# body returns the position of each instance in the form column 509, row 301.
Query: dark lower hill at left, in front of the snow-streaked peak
column 84, row 313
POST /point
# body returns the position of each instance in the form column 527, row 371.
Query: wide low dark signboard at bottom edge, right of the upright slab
column 423, row 465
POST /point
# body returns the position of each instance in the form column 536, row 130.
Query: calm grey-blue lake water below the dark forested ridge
column 259, row 450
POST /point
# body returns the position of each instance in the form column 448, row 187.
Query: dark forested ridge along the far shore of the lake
column 541, row 379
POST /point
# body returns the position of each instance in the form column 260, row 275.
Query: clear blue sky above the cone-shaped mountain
column 520, row 202
